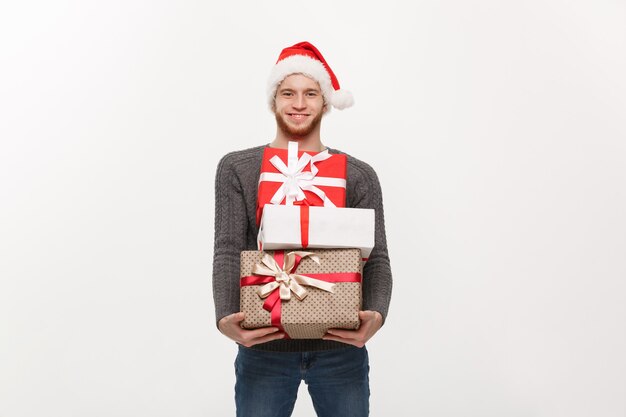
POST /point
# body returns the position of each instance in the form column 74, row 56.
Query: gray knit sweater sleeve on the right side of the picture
column 377, row 278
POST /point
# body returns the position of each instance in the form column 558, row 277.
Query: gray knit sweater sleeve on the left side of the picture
column 230, row 238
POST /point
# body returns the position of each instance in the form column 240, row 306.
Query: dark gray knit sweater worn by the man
column 236, row 185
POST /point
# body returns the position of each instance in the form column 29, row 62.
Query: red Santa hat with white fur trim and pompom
column 304, row 58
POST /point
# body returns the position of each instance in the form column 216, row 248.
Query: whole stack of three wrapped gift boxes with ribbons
column 306, row 276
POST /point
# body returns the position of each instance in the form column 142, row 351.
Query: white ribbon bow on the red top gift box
column 296, row 181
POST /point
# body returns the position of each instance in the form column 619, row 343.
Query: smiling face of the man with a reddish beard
column 299, row 106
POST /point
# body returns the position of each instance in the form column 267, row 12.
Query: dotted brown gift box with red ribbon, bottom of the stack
column 319, row 310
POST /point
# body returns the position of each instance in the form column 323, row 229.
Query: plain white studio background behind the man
column 497, row 129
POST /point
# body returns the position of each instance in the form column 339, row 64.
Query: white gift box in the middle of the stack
column 329, row 227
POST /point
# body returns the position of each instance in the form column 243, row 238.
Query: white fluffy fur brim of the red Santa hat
column 300, row 64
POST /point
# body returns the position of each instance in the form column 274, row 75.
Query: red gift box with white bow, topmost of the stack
column 289, row 177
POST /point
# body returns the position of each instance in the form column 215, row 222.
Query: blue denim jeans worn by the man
column 267, row 382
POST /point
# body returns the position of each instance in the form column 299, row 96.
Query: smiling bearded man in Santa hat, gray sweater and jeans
column 269, row 368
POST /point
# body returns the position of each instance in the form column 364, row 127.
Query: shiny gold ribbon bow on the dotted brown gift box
column 285, row 280
